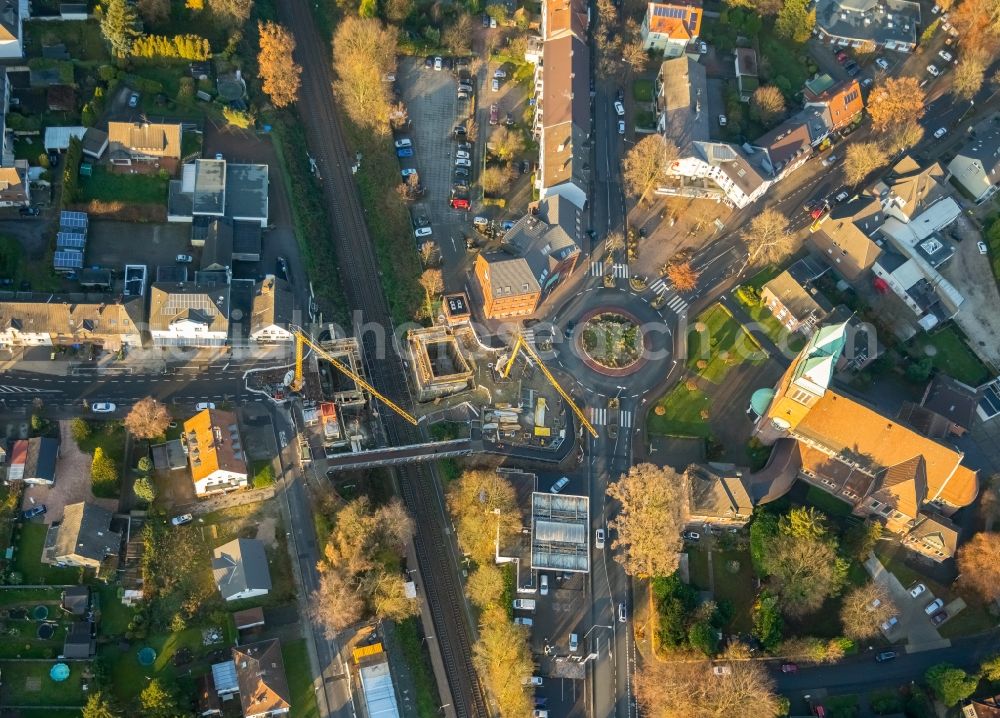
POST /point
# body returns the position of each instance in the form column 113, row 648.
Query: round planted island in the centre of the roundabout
column 612, row 342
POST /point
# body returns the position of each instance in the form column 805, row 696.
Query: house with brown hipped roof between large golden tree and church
column 719, row 495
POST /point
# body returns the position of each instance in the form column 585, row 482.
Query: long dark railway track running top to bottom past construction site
column 360, row 272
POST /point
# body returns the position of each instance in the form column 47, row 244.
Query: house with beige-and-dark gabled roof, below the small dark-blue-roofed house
column 82, row 538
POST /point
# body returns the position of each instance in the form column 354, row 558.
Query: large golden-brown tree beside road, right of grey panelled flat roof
column 654, row 508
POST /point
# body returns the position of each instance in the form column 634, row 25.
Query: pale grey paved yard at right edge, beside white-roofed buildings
column 970, row 272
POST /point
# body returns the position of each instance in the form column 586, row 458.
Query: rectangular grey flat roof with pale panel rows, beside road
column 560, row 527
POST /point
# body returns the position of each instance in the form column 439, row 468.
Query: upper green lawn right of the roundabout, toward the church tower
column 717, row 342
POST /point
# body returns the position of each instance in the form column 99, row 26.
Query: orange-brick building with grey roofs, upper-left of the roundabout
column 537, row 254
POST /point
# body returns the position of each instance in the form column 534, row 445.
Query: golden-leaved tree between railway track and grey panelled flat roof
column 483, row 507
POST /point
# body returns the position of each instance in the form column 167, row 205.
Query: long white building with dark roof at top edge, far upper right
column 891, row 24
